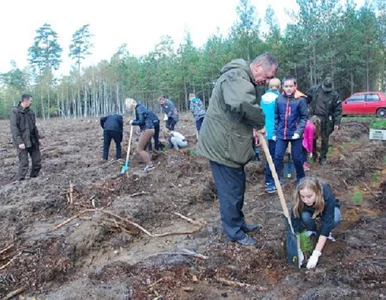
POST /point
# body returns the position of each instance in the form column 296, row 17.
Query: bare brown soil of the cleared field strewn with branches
column 127, row 242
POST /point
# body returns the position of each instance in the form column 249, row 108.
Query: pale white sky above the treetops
column 139, row 24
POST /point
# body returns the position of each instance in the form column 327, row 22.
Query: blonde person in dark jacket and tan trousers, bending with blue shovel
column 148, row 122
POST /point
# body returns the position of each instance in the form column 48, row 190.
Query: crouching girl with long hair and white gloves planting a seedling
column 314, row 199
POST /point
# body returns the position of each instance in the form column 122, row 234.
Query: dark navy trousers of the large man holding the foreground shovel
column 230, row 186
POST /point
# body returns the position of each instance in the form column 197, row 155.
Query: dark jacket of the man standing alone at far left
column 23, row 127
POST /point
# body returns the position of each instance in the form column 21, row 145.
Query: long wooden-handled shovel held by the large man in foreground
column 292, row 242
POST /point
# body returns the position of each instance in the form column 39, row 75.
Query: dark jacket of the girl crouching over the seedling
column 327, row 215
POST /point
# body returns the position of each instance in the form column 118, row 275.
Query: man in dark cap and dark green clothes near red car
column 325, row 103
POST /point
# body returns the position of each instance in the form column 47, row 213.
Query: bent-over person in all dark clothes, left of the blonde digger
column 112, row 130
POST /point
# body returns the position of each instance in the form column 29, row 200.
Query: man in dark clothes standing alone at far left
column 26, row 137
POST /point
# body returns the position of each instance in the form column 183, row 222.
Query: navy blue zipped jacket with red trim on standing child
column 291, row 115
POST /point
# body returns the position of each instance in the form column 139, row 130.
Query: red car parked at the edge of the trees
column 365, row 103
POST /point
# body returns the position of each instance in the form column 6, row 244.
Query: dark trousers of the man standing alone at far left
column 34, row 152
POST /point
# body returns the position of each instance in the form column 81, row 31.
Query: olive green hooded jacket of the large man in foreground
column 227, row 131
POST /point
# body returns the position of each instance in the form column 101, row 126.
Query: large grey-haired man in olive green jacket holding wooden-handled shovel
column 226, row 136
